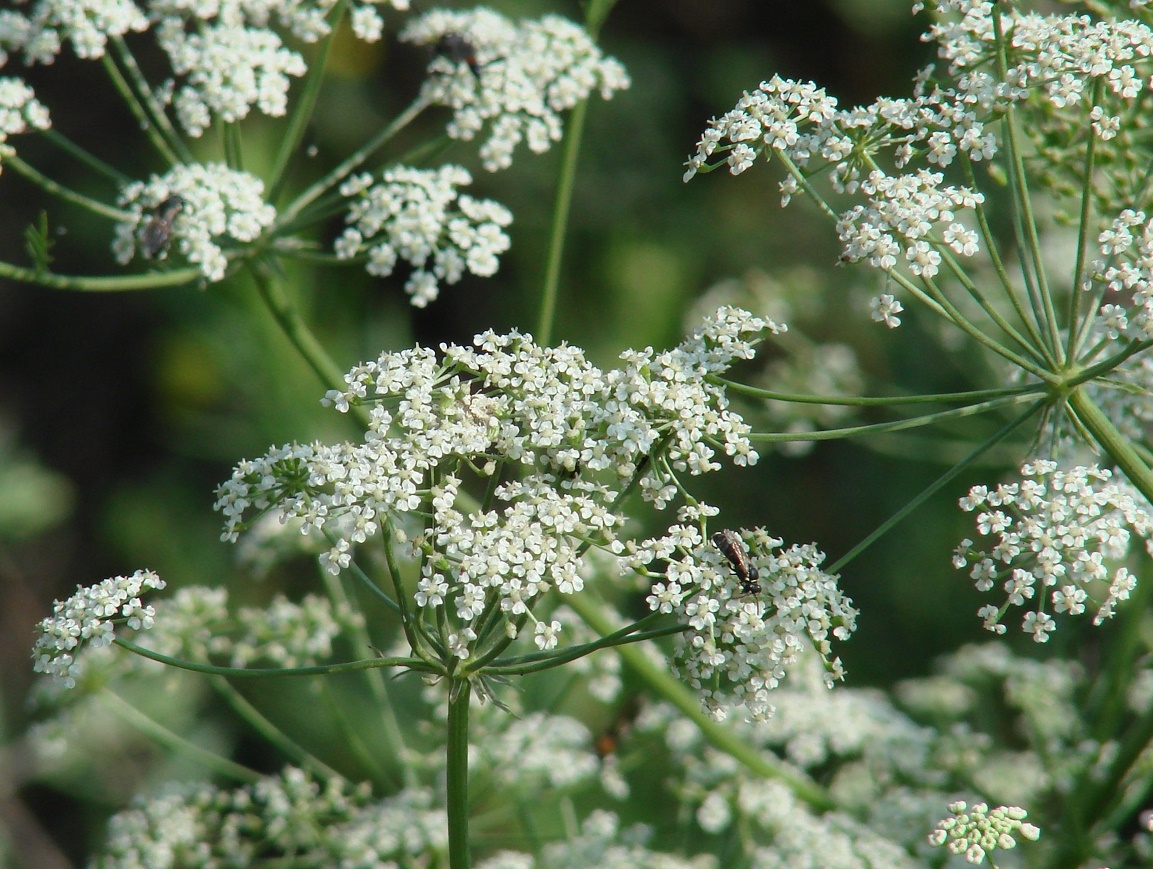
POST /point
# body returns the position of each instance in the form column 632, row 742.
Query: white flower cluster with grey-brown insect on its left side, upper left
column 217, row 207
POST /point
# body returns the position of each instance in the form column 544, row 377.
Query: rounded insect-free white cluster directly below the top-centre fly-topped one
column 419, row 216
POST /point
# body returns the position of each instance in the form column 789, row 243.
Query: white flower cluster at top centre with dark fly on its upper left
column 517, row 78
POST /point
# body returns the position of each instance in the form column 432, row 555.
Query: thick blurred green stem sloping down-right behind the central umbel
column 660, row 682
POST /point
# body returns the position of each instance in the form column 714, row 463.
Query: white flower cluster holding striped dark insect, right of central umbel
column 743, row 641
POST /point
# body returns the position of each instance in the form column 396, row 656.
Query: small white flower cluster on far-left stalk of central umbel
column 88, row 619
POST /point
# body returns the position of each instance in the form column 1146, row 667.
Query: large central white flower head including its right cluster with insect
column 556, row 444
